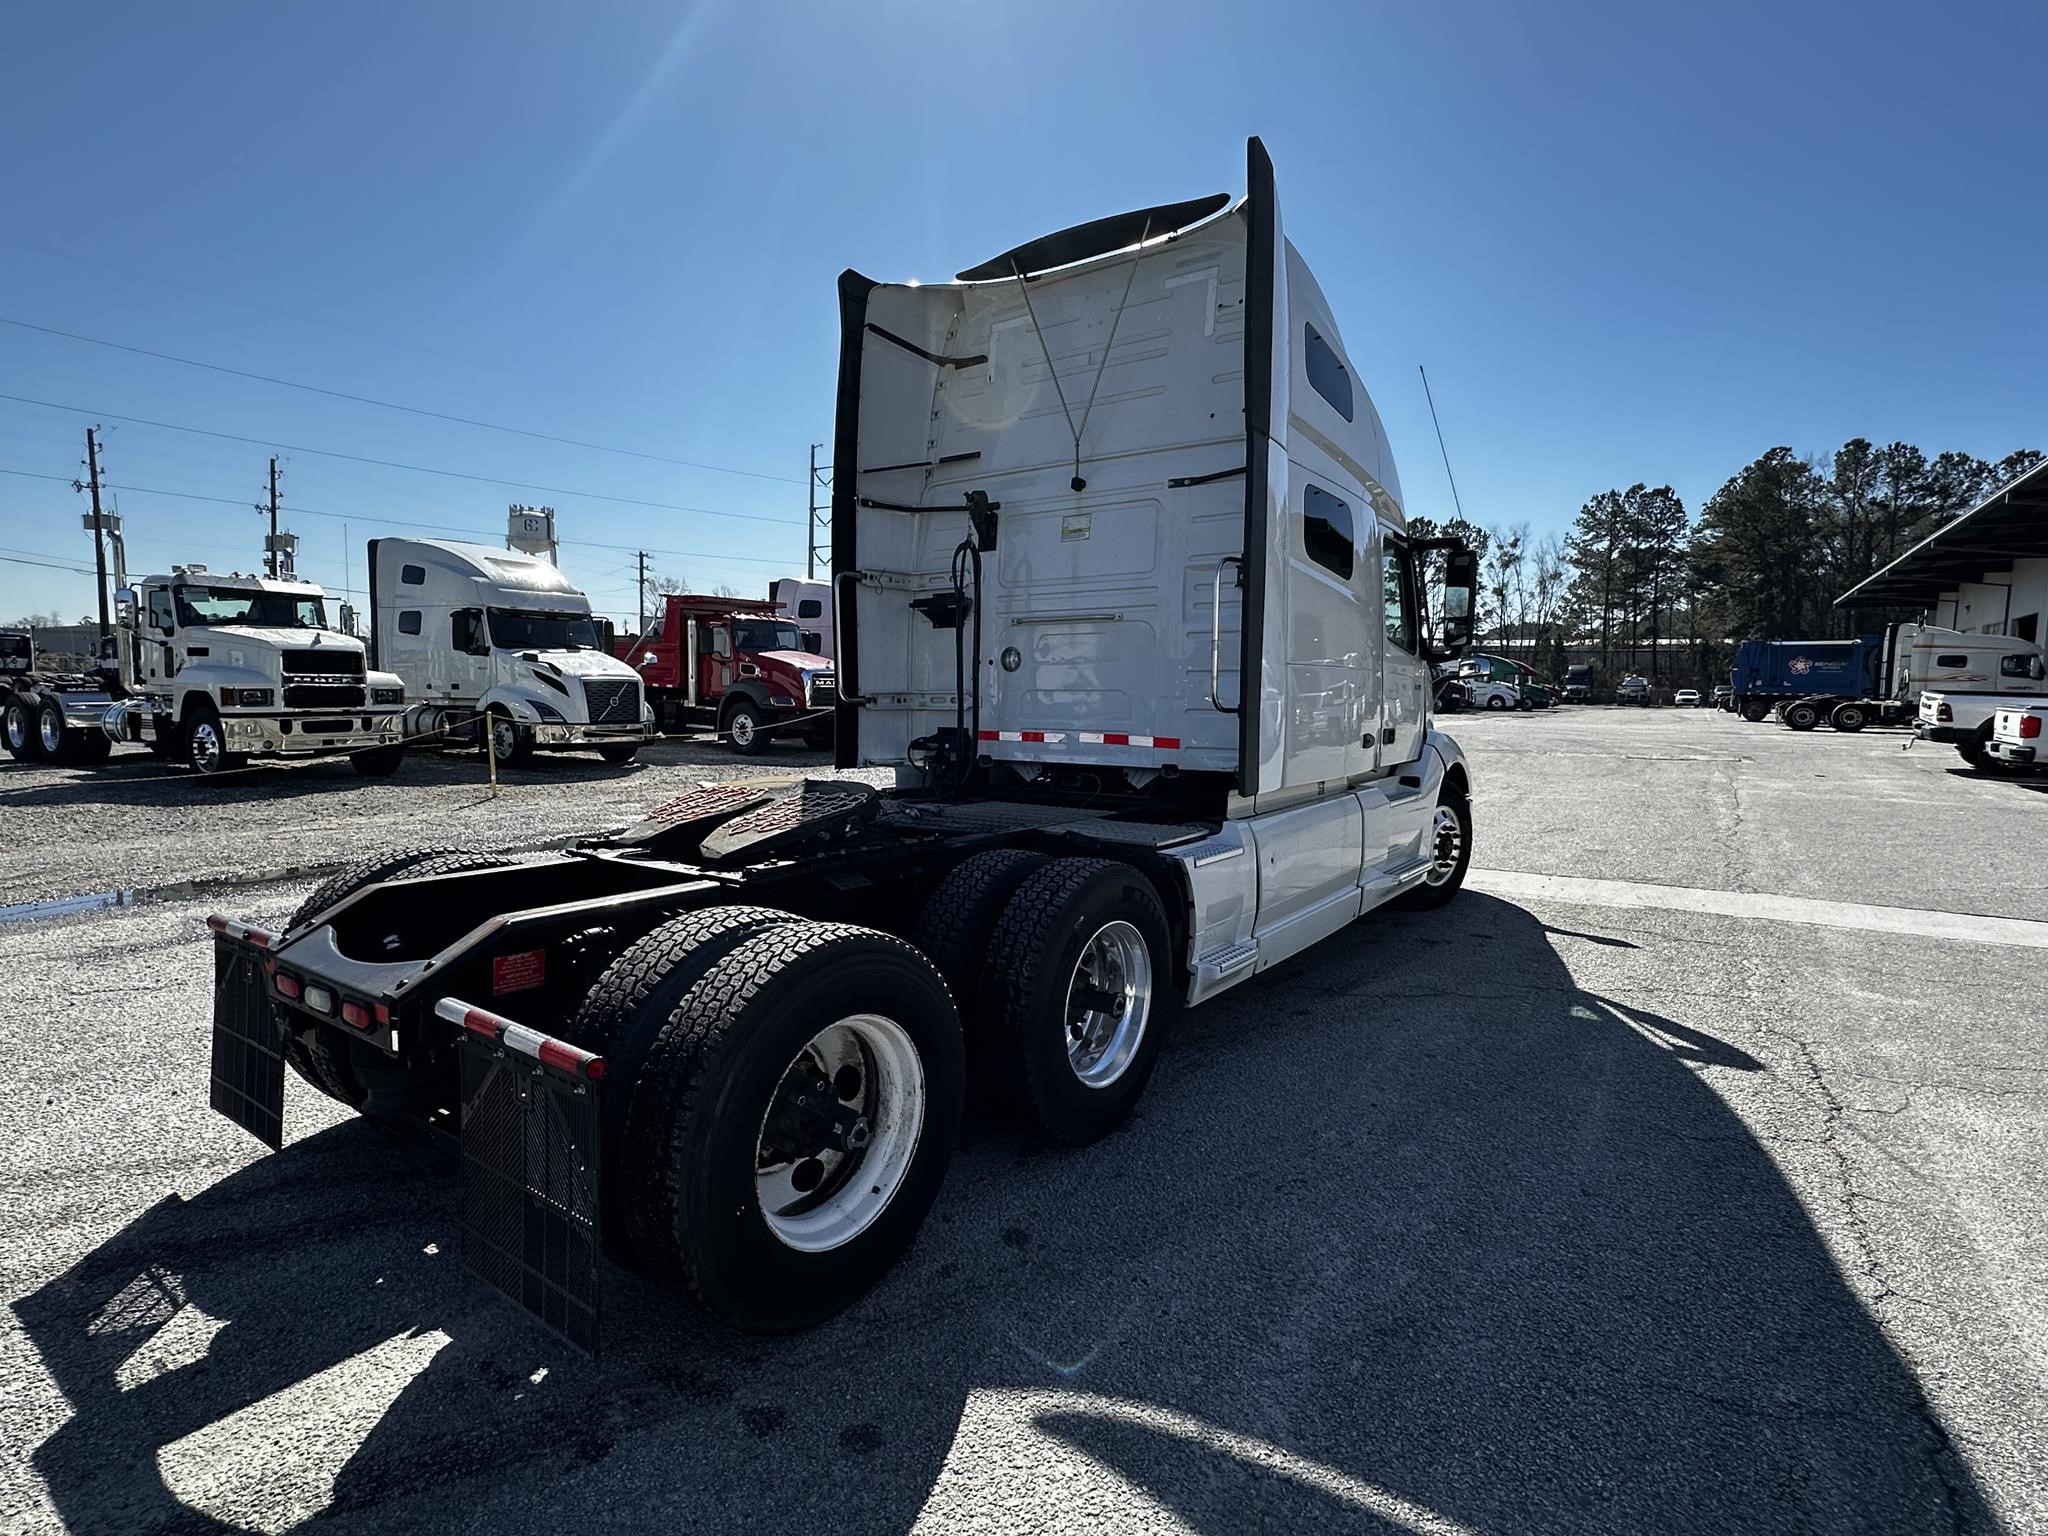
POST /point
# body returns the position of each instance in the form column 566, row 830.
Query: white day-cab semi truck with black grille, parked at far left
column 210, row 671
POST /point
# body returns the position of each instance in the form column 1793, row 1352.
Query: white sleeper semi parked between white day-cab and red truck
column 493, row 638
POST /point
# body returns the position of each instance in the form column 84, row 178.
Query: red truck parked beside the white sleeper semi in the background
column 736, row 667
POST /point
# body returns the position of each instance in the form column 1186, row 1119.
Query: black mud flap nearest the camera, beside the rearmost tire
column 531, row 1187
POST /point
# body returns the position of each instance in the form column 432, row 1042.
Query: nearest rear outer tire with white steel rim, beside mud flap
column 769, row 1213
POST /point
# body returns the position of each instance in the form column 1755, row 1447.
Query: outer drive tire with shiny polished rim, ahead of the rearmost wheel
column 1076, row 996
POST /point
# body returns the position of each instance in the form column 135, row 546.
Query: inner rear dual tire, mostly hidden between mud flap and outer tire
column 624, row 1017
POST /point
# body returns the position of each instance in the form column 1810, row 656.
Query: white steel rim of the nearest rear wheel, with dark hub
column 796, row 1146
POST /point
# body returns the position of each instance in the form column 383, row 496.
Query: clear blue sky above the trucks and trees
column 1629, row 243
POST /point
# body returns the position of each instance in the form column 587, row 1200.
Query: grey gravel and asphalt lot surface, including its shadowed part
column 1615, row 1207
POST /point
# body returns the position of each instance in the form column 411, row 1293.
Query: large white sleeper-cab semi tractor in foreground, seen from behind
column 1154, row 691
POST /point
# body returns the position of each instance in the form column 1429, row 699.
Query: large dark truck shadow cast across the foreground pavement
column 1400, row 1240
